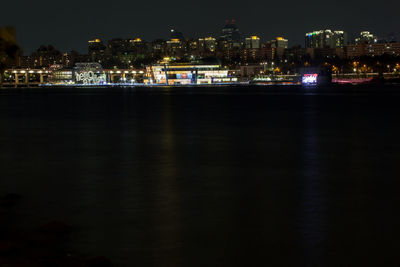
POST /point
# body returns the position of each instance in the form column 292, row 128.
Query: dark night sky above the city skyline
column 68, row 25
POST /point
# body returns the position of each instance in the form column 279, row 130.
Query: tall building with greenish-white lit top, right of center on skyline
column 325, row 39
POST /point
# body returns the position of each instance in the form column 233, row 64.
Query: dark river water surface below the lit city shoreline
column 248, row 176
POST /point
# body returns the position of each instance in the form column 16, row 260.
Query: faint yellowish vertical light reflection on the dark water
column 167, row 204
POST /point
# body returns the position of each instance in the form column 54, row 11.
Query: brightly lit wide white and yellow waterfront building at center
column 188, row 74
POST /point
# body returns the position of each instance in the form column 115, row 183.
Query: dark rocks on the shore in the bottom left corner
column 43, row 247
